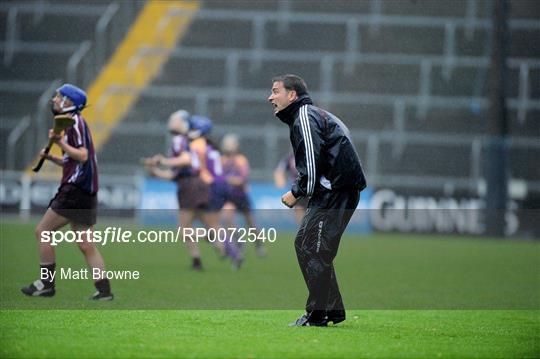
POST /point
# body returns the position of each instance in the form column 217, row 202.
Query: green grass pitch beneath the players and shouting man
column 408, row 296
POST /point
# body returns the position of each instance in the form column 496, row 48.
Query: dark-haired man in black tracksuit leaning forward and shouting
column 330, row 173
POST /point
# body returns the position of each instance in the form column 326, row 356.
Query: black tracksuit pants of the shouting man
column 316, row 245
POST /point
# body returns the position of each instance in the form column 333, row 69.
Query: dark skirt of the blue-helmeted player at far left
column 75, row 204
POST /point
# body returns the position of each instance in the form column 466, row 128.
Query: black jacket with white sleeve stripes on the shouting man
column 324, row 153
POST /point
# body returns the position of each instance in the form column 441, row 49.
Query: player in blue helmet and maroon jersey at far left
column 75, row 203
